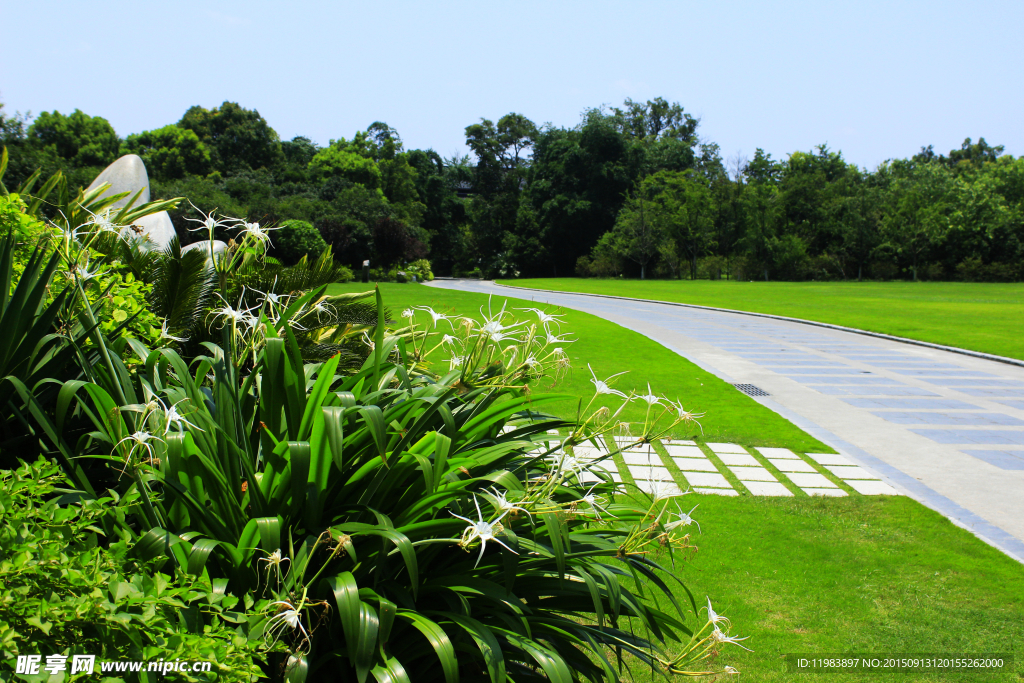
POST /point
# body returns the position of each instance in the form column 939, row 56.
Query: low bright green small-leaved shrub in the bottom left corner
column 65, row 593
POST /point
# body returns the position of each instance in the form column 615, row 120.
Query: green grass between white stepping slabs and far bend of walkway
column 731, row 415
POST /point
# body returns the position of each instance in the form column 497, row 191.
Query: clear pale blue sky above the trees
column 876, row 80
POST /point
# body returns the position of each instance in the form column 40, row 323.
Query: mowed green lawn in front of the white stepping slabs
column 858, row 575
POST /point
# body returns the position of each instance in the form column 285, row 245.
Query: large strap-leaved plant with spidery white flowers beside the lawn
column 393, row 523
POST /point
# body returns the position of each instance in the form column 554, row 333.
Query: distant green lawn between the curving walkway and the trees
column 983, row 317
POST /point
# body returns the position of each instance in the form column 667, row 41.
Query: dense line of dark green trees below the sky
column 631, row 191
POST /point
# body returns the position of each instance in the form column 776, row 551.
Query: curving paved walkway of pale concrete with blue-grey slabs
column 945, row 429
